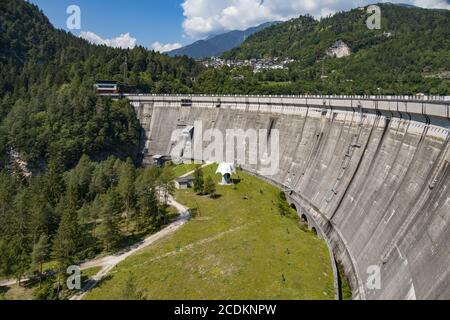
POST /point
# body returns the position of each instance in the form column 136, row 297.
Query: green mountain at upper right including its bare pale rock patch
column 412, row 41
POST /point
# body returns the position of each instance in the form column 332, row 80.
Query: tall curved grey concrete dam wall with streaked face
column 370, row 174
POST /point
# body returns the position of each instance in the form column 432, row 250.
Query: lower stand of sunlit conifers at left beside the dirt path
column 69, row 217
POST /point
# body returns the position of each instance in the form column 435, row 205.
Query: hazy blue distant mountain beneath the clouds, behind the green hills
column 216, row 45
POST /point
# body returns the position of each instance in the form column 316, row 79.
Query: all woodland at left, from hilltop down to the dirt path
column 69, row 207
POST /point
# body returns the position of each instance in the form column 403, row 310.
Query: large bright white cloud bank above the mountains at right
column 204, row 17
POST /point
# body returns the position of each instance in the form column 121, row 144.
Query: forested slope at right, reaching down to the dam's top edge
column 410, row 54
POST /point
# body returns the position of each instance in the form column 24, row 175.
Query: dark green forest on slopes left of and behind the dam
column 48, row 108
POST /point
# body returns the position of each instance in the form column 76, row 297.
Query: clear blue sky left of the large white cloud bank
column 147, row 21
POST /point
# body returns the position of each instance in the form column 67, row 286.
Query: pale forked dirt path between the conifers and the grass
column 108, row 263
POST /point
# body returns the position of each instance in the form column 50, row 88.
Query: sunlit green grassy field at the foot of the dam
column 236, row 247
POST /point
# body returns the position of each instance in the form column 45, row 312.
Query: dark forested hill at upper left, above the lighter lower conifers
column 47, row 103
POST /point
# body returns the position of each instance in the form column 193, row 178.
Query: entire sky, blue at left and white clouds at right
column 167, row 24
